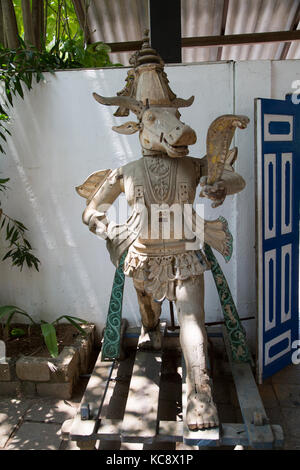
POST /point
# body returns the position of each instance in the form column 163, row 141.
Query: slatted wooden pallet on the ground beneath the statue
column 134, row 389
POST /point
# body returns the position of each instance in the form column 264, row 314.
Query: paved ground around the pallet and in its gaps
column 35, row 423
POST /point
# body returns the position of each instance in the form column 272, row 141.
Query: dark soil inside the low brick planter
column 32, row 344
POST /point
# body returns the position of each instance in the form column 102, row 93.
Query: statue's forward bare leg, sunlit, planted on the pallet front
column 201, row 410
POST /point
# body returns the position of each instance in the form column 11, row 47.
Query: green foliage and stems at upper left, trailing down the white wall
column 39, row 36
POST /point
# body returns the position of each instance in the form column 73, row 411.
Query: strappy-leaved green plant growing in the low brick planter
column 47, row 329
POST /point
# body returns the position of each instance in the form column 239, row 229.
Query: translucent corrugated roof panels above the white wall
column 126, row 20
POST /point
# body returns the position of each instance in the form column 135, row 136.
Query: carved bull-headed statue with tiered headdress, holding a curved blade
column 167, row 264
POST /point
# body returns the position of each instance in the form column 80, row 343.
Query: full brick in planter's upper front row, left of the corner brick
column 33, row 369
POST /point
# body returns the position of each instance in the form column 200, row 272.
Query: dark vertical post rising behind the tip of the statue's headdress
column 165, row 29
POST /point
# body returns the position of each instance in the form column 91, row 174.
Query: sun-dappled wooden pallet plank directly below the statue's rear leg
column 140, row 417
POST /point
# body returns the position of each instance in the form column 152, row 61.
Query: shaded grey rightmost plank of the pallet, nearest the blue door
column 260, row 436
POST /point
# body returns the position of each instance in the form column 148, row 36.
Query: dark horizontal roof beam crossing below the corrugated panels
column 216, row 41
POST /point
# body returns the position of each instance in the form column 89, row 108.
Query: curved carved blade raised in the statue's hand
column 219, row 137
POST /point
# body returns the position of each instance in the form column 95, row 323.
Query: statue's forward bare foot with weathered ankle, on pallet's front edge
column 201, row 411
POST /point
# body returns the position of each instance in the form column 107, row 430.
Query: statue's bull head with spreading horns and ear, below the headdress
column 159, row 126
